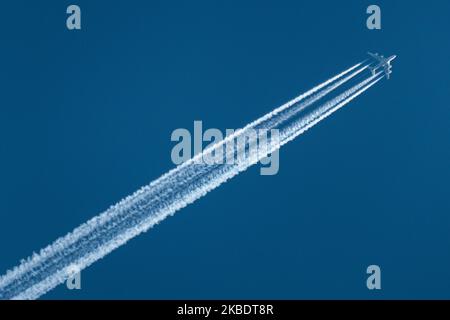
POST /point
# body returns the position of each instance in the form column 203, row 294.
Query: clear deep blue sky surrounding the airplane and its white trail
column 86, row 118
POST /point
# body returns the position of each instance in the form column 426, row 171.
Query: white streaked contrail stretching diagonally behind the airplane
column 174, row 190
